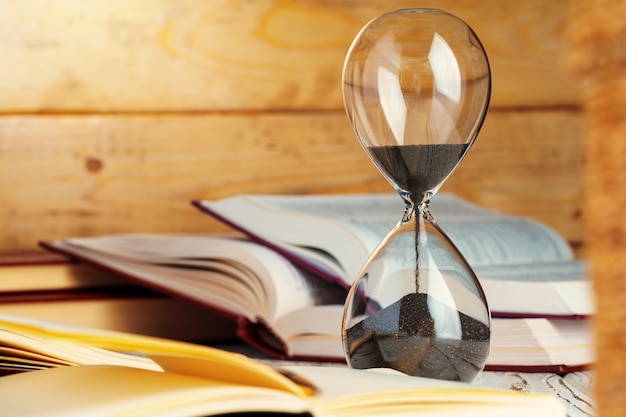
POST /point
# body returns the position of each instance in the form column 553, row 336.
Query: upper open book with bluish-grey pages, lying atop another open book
column 525, row 267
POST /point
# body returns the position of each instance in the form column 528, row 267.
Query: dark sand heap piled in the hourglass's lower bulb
column 402, row 336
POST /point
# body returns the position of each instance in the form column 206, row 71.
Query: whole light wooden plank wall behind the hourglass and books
column 115, row 113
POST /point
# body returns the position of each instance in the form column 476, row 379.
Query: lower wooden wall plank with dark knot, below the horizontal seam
column 66, row 176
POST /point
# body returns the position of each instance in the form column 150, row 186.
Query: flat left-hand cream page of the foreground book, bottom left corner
column 107, row 390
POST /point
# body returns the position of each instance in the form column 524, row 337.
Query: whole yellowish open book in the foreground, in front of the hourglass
column 191, row 380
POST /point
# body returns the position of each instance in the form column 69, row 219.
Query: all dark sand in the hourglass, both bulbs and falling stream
column 403, row 335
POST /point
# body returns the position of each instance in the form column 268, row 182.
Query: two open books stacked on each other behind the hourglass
column 283, row 276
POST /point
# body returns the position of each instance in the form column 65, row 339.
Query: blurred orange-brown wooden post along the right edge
column 597, row 33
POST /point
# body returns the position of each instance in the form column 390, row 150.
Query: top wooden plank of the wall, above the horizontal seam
column 176, row 56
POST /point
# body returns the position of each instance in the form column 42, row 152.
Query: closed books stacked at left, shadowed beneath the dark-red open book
column 45, row 285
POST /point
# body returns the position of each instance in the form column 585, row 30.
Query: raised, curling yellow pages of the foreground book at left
column 85, row 346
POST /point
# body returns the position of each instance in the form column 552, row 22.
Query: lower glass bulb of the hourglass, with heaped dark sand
column 422, row 314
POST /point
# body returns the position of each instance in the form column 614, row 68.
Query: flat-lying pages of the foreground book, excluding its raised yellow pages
column 102, row 390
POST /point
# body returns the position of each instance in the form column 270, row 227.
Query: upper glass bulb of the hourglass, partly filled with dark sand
column 416, row 85
